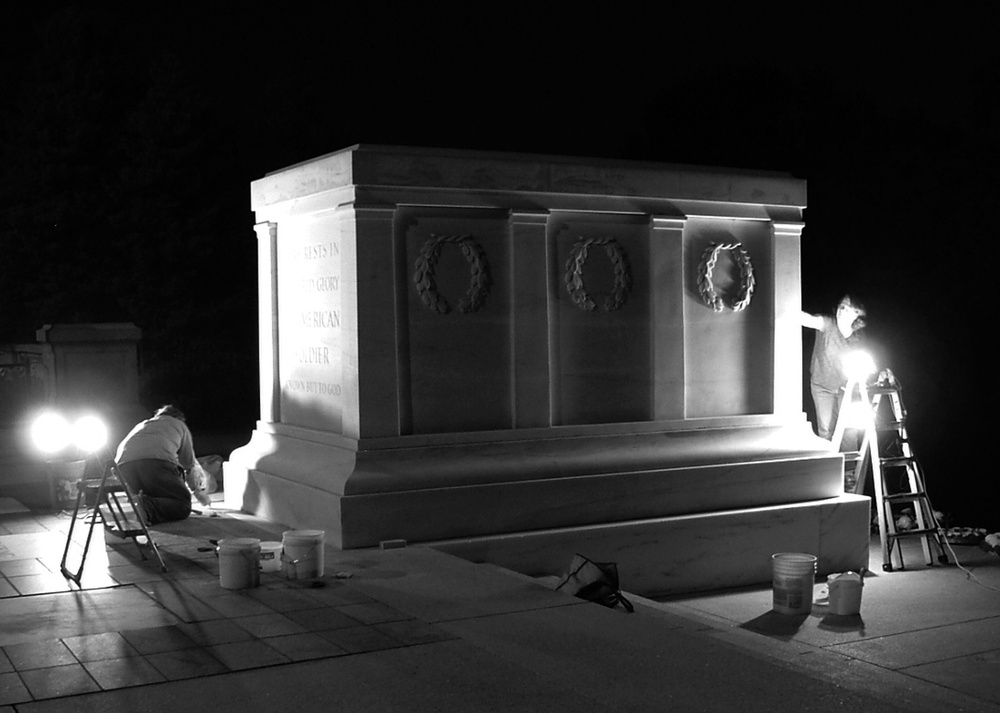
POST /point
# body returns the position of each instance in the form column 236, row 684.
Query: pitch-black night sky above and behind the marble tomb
column 892, row 119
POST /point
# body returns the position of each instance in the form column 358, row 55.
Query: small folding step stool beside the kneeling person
column 115, row 507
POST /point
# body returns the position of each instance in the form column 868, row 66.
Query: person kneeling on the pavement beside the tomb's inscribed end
column 157, row 460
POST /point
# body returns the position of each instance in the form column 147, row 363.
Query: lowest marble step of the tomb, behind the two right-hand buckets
column 689, row 553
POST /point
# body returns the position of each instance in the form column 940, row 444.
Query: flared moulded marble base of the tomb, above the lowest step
column 422, row 492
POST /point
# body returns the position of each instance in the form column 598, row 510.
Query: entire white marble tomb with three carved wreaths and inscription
column 516, row 357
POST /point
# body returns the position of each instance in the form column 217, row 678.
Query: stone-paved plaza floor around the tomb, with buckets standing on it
column 413, row 629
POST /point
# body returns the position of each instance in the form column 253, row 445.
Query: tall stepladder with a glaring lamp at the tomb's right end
column 897, row 478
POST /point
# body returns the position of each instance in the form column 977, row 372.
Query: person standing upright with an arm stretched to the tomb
column 835, row 336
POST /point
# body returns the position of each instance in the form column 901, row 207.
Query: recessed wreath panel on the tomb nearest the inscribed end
column 457, row 286
